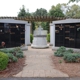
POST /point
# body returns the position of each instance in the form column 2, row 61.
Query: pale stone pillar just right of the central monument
column 52, row 34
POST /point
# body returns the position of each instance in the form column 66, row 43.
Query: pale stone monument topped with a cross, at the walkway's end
column 39, row 40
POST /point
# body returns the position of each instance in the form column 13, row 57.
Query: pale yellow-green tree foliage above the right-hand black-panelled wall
column 67, row 10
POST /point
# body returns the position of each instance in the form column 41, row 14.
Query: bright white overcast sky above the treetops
column 12, row 7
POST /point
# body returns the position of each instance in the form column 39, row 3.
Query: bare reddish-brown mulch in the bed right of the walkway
column 72, row 69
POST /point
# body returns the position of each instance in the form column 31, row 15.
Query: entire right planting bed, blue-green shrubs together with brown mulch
column 67, row 61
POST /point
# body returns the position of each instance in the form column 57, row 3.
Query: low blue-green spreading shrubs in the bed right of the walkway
column 68, row 55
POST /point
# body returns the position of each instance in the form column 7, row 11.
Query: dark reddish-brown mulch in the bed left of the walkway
column 13, row 68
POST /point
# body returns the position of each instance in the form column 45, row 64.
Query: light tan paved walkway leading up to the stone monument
column 39, row 64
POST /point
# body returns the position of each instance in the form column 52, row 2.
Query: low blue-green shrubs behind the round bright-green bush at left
column 13, row 54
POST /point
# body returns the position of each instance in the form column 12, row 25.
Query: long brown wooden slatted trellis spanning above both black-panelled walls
column 31, row 19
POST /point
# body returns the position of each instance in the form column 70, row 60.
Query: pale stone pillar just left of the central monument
column 27, row 34
